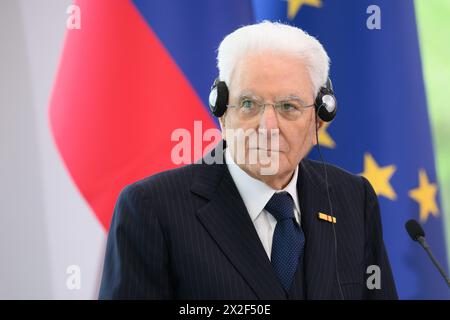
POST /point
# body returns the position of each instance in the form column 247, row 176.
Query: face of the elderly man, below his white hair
column 271, row 77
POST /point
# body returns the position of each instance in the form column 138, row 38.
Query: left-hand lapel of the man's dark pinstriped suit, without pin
column 226, row 219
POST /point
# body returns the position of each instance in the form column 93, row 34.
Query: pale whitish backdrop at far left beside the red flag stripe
column 45, row 224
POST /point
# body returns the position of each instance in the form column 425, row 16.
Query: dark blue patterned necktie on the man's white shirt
column 288, row 238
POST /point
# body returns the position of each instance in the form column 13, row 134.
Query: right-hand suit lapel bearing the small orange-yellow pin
column 319, row 257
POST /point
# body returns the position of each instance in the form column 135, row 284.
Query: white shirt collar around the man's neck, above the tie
column 254, row 192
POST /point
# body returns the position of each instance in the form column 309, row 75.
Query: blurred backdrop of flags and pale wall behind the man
column 67, row 108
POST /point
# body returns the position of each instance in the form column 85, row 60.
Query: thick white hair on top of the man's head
column 278, row 37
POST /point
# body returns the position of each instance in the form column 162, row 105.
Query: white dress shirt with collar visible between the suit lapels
column 255, row 195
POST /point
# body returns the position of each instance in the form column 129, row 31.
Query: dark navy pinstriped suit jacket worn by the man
column 186, row 234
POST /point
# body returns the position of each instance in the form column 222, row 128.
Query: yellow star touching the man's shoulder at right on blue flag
column 379, row 177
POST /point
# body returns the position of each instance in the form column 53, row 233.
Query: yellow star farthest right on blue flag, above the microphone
column 425, row 195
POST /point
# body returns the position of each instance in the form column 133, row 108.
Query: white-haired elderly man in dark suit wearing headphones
column 233, row 230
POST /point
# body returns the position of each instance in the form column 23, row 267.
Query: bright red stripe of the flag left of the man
column 117, row 98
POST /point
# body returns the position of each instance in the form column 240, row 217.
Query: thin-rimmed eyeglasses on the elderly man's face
column 289, row 109
